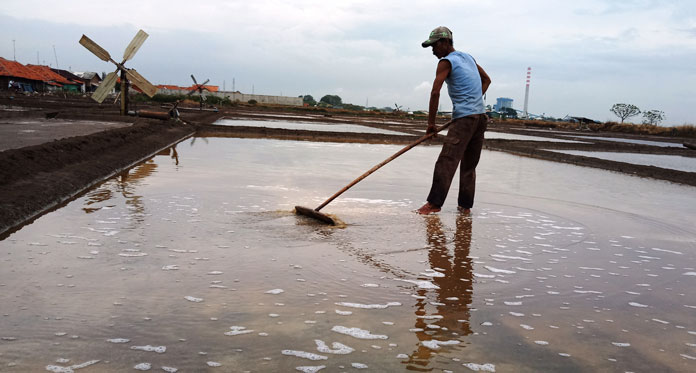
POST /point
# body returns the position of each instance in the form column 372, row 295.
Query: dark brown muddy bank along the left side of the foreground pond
column 38, row 178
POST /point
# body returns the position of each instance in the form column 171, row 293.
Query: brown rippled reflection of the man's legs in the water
column 444, row 315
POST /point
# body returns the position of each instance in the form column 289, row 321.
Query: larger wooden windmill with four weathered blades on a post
column 126, row 74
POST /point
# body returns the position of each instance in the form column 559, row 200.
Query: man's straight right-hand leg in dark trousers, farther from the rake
column 467, row 171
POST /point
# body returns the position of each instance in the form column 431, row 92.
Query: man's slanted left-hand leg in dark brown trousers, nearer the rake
column 451, row 154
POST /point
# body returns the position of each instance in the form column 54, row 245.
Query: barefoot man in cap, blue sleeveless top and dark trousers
column 466, row 85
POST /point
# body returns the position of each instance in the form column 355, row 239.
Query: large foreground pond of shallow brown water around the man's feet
column 559, row 268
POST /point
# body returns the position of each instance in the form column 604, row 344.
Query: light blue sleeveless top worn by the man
column 464, row 85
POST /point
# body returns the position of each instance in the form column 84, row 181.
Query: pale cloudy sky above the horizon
column 585, row 56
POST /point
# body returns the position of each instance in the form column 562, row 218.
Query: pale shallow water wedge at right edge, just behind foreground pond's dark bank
column 674, row 162
